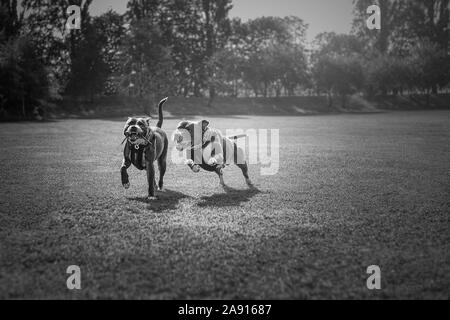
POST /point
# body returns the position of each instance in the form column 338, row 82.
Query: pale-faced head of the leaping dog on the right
column 189, row 134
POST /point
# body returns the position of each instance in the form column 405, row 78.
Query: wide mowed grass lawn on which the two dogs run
column 352, row 191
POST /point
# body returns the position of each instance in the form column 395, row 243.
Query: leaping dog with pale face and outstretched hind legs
column 209, row 150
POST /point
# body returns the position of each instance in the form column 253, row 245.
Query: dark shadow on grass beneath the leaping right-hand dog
column 231, row 198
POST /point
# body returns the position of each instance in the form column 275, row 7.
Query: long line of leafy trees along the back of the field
column 194, row 48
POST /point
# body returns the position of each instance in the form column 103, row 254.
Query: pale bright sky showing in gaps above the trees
column 321, row 15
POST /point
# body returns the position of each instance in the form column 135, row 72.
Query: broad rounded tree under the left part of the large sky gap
column 273, row 55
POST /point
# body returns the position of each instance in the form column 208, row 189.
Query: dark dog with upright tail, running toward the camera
column 145, row 145
